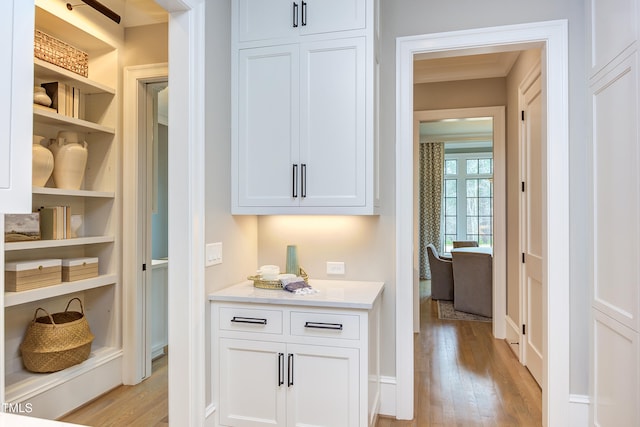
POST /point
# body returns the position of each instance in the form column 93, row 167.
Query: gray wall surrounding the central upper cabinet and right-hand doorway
column 367, row 244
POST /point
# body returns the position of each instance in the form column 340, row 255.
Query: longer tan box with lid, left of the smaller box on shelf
column 26, row 275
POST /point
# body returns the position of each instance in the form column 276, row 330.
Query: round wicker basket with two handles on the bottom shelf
column 56, row 341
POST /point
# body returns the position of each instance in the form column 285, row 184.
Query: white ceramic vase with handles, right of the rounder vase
column 70, row 164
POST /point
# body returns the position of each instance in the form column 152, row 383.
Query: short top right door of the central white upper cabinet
column 324, row 16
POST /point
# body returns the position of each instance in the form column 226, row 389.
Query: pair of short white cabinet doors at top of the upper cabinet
column 259, row 20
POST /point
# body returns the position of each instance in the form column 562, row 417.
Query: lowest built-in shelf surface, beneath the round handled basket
column 23, row 385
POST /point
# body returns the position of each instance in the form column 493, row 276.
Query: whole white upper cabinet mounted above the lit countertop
column 303, row 124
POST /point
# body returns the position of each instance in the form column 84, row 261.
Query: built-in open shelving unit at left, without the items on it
column 98, row 202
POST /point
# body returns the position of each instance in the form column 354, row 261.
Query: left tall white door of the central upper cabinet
column 268, row 126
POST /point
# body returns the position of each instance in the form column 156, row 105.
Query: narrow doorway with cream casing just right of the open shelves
column 145, row 219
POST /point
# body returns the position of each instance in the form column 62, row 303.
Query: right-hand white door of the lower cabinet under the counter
column 324, row 389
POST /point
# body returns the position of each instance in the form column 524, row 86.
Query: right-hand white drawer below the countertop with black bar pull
column 325, row 325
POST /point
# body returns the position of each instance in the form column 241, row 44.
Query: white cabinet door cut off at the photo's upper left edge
column 16, row 85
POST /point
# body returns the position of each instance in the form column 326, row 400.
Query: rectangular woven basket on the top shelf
column 57, row 52
